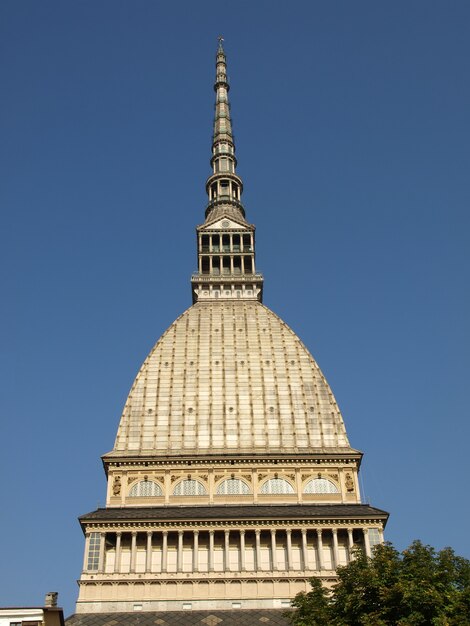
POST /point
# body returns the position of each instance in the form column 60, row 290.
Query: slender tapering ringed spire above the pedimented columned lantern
column 224, row 187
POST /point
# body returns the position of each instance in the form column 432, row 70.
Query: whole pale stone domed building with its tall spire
column 232, row 481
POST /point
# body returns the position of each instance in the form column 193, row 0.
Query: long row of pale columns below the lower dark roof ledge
column 228, row 550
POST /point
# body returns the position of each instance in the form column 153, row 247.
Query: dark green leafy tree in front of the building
column 417, row 587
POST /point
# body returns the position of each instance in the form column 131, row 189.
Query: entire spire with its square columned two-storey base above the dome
column 226, row 241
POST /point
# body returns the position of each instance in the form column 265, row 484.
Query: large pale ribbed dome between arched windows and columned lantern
column 229, row 377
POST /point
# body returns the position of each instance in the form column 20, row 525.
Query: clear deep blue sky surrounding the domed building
column 352, row 129
